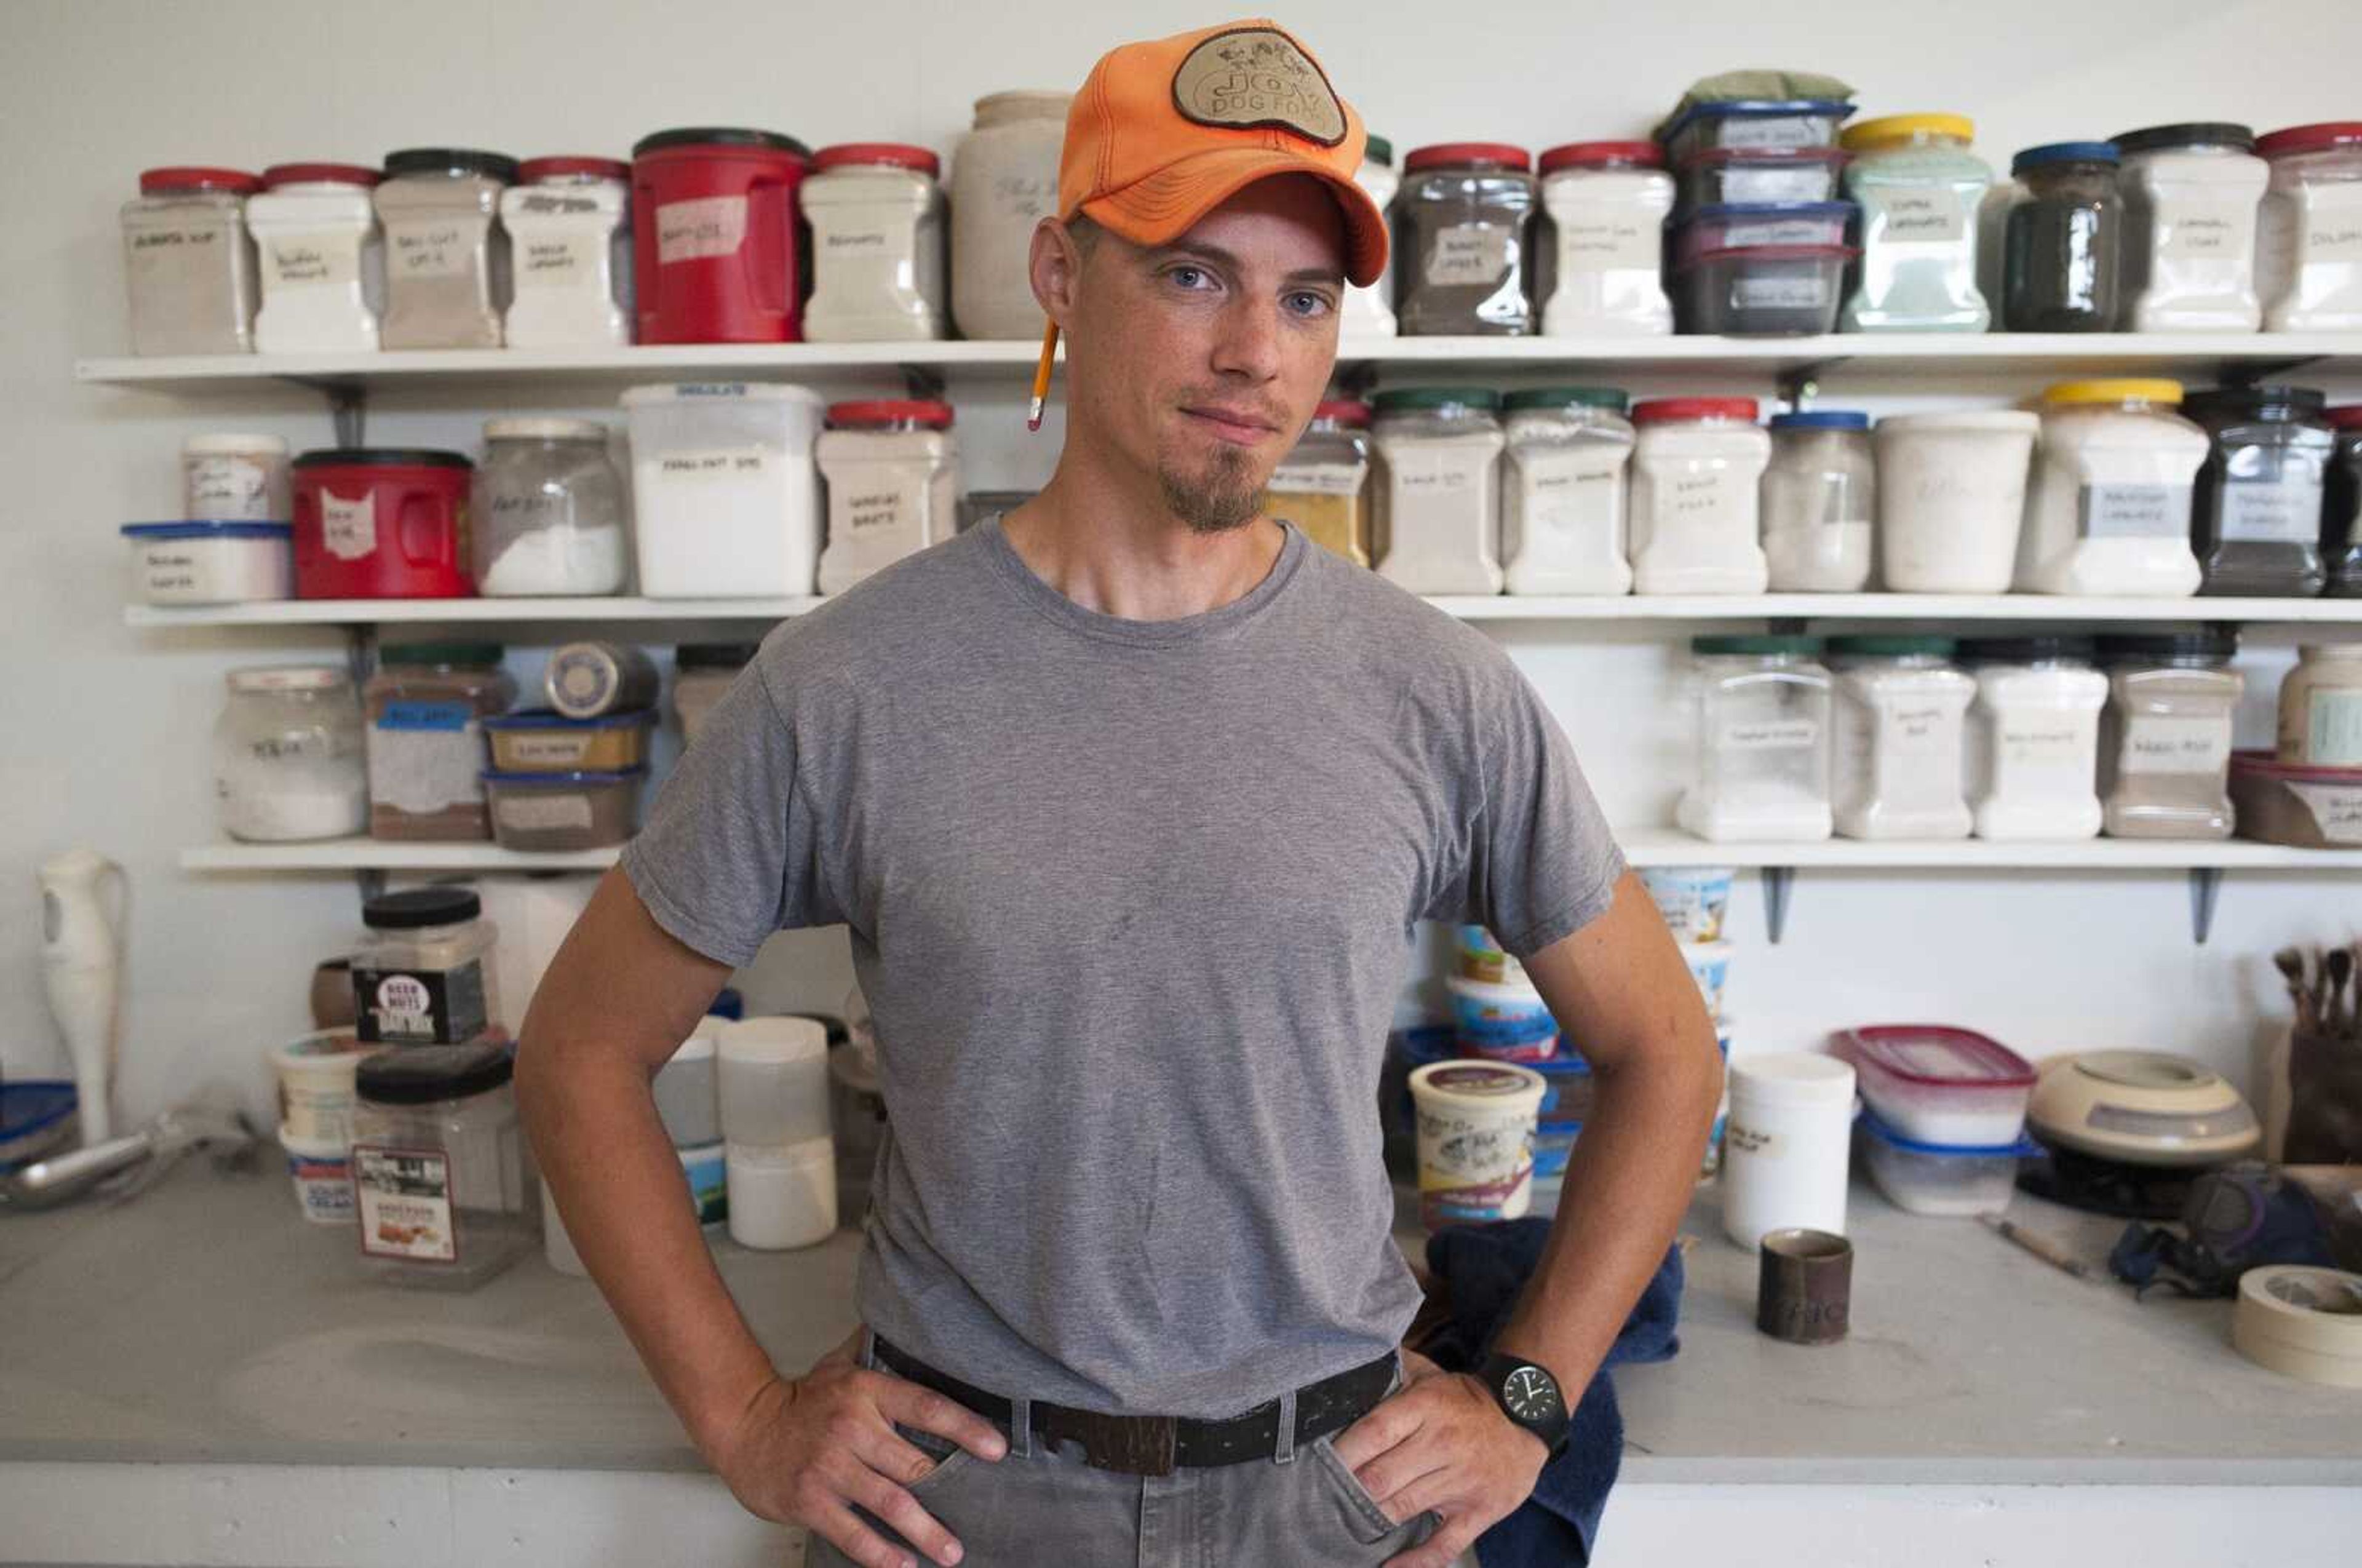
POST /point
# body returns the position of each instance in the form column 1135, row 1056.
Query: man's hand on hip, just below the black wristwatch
column 1442, row 1444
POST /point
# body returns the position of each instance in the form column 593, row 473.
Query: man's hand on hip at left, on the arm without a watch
column 811, row 1449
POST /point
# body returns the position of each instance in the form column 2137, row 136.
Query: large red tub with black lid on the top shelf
column 715, row 242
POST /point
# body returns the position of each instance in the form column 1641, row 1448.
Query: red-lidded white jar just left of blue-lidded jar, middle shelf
column 1697, row 471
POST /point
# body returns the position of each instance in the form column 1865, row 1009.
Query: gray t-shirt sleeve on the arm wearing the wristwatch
column 1536, row 858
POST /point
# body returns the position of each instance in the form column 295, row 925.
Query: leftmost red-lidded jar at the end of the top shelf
column 190, row 261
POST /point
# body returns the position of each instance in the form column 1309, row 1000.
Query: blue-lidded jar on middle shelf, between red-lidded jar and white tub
column 1820, row 502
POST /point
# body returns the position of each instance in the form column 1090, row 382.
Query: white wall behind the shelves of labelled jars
column 105, row 733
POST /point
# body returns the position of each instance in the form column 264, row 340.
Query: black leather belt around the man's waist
column 1159, row 1444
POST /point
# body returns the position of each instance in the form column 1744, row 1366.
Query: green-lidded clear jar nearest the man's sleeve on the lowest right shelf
column 1763, row 740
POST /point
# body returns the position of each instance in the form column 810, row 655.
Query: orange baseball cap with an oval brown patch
column 1168, row 131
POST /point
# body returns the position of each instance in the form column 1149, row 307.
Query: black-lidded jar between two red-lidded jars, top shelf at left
column 448, row 270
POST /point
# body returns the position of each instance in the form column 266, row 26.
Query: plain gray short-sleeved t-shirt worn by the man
column 1133, row 906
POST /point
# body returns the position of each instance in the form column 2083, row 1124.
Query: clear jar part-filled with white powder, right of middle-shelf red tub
column 549, row 511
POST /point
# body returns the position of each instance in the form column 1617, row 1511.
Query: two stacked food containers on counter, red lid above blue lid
column 1945, row 1116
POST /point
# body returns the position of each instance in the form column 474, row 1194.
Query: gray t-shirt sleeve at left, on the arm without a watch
column 733, row 847
